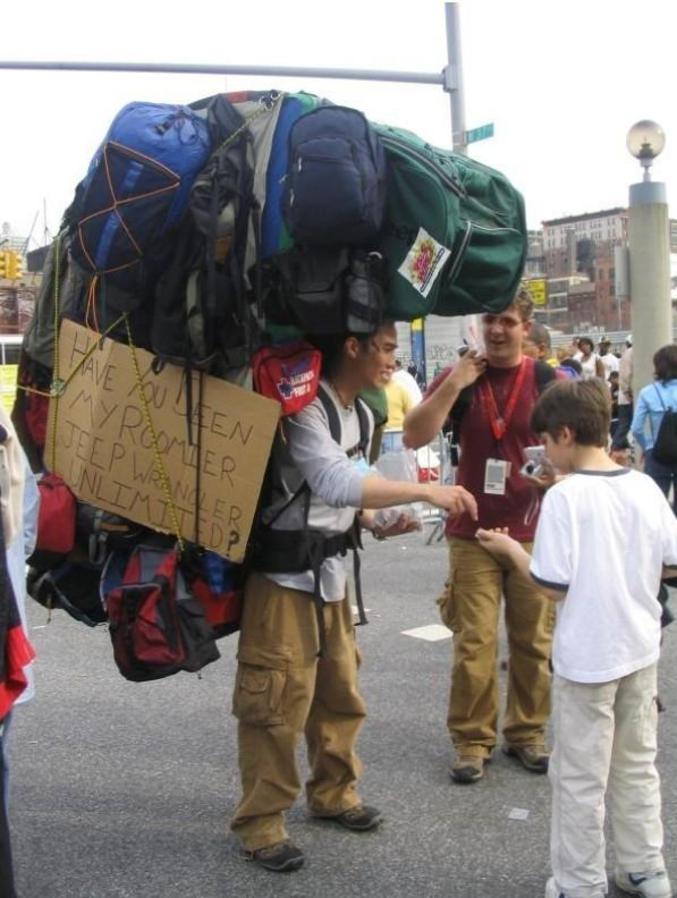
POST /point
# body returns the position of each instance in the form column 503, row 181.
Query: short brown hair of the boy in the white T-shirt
column 582, row 405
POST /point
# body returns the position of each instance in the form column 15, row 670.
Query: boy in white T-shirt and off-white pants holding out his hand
column 601, row 525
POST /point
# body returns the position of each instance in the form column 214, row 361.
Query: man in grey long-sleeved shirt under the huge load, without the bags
column 297, row 657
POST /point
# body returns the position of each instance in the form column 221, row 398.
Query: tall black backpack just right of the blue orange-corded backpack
column 201, row 317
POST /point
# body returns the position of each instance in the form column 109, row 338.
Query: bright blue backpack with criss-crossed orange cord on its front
column 136, row 189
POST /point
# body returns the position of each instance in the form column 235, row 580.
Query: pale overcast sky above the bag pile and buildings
column 562, row 83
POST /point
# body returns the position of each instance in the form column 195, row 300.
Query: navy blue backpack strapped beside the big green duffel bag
column 336, row 182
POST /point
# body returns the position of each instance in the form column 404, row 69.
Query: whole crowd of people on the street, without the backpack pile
column 542, row 543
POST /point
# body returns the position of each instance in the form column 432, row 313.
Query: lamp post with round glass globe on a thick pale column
column 649, row 252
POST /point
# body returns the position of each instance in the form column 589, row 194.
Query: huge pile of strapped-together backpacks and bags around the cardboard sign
column 243, row 221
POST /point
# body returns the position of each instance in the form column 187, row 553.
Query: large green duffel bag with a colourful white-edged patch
column 455, row 235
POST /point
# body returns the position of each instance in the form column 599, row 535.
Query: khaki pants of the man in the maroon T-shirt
column 471, row 608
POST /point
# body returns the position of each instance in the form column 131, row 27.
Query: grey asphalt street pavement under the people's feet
column 124, row 790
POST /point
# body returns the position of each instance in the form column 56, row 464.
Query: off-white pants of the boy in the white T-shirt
column 604, row 741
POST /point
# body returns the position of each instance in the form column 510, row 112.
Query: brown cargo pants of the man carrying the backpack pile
column 283, row 690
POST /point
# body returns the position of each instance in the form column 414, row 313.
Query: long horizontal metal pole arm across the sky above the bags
column 181, row 69
